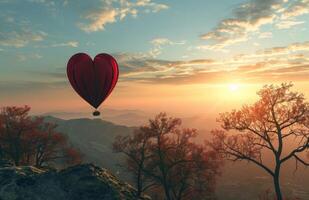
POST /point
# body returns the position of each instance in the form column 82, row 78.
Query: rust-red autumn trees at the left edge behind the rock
column 27, row 140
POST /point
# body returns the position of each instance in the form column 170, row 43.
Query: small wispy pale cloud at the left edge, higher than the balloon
column 20, row 39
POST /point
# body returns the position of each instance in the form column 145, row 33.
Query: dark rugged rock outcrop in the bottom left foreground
column 81, row 182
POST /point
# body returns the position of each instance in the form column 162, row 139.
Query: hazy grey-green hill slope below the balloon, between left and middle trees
column 94, row 138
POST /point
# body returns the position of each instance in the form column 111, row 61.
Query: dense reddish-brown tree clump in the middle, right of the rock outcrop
column 163, row 156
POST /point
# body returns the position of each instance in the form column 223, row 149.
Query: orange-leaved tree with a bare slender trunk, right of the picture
column 267, row 125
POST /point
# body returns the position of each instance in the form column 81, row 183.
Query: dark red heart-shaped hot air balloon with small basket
column 93, row 80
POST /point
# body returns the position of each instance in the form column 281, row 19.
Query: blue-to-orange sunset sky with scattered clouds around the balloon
column 185, row 57
